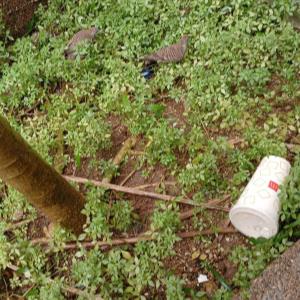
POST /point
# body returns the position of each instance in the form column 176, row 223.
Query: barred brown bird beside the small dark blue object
column 172, row 53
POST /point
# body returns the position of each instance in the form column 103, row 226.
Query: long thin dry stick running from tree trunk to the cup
column 134, row 191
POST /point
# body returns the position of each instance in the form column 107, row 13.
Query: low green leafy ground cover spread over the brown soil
column 202, row 127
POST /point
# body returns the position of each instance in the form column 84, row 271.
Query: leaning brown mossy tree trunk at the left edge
column 22, row 168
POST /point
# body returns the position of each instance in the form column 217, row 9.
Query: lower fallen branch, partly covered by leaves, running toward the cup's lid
column 133, row 240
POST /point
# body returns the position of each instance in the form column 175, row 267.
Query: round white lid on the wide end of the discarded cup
column 253, row 223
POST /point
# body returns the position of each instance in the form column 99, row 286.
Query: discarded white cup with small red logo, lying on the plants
column 256, row 213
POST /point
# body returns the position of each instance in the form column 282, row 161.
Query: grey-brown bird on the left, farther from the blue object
column 84, row 35
